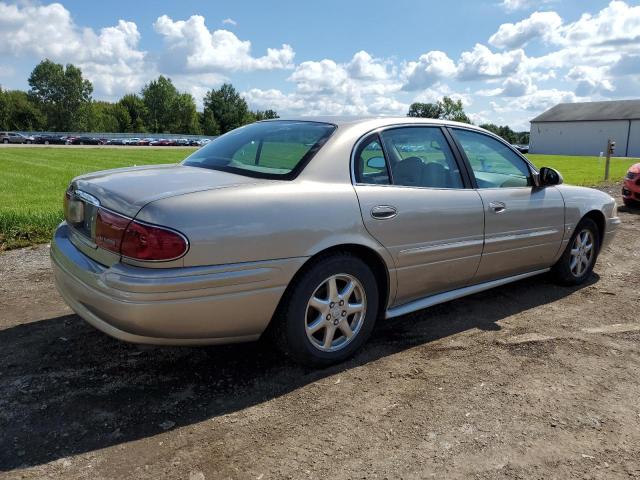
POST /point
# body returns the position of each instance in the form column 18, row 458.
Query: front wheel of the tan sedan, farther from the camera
column 577, row 261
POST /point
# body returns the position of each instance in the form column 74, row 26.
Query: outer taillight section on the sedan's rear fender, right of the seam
column 147, row 242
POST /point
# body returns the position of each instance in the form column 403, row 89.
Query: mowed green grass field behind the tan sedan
column 32, row 181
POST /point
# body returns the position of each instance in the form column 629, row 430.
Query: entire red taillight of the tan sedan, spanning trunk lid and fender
column 136, row 240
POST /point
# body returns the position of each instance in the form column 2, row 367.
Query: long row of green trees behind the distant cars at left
column 60, row 99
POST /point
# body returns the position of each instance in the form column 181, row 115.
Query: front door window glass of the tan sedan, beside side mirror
column 493, row 163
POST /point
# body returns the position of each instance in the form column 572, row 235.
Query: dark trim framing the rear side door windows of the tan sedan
column 467, row 180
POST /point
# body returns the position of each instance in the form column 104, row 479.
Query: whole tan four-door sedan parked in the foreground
column 256, row 232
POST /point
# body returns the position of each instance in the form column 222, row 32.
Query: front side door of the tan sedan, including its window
column 524, row 224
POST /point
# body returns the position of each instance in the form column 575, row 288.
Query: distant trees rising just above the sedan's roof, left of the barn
column 449, row 109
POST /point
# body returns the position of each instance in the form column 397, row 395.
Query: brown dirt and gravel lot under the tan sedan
column 527, row 381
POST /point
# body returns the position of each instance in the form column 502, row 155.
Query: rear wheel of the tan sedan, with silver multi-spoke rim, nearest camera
column 309, row 313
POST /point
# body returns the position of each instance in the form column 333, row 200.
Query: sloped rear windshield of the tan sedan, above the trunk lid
column 275, row 149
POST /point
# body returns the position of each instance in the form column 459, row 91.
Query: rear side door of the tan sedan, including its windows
column 416, row 201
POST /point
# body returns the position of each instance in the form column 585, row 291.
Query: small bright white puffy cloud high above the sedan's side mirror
column 542, row 25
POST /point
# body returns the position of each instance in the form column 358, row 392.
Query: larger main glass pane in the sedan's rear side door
column 421, row 157
